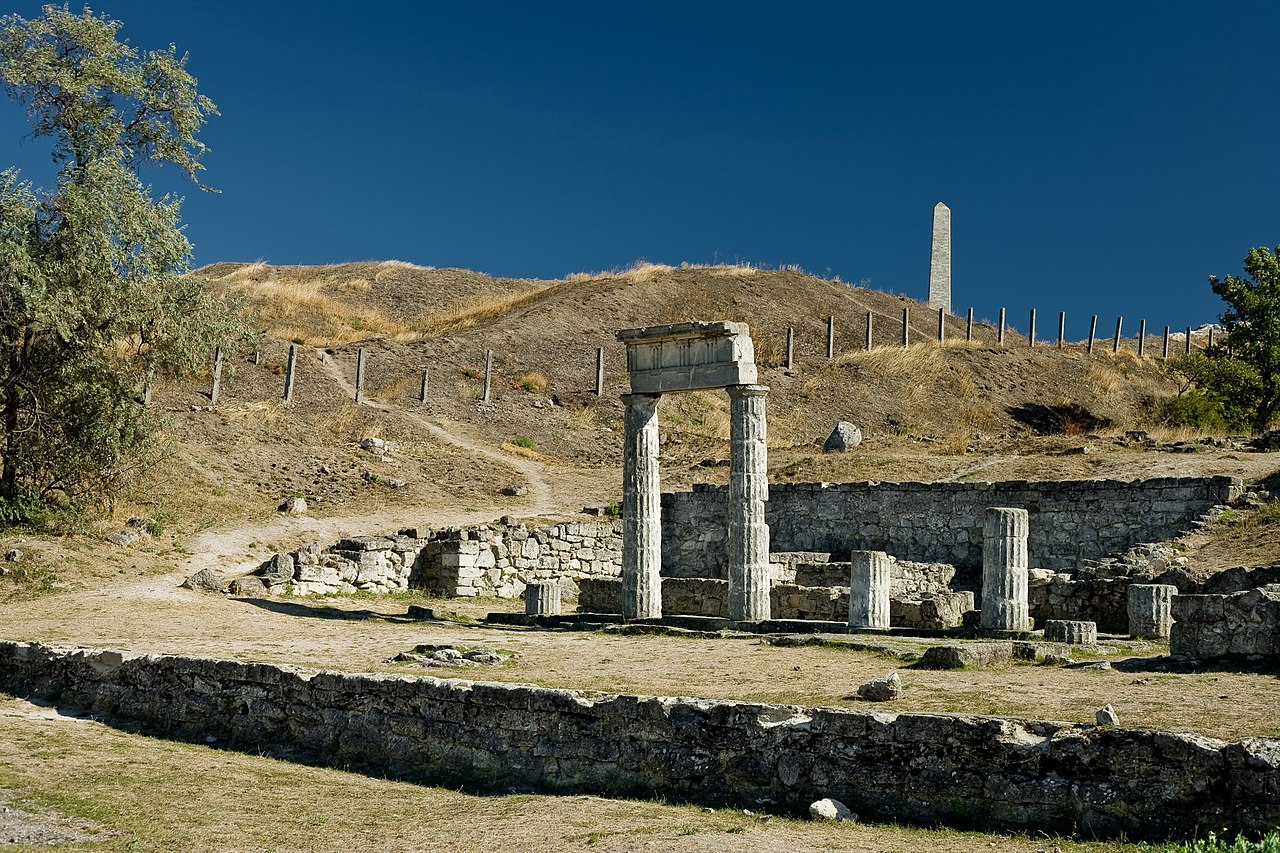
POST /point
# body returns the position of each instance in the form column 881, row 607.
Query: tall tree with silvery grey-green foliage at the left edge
column 93, row 295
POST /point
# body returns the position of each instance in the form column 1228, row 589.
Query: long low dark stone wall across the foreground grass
column 912, row 768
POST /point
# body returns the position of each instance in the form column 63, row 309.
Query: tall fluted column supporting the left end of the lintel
column 642, row 519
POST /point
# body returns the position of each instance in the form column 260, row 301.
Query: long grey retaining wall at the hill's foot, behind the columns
column 1071, row 522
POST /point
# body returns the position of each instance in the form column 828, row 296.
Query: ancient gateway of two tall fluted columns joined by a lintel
column 694, row 357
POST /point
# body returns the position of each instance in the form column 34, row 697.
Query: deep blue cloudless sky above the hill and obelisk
column 1098, row 157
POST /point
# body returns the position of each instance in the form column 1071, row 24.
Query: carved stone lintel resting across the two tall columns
column 689, row 357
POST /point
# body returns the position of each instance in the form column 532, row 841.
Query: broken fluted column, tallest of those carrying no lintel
column 1004, row 571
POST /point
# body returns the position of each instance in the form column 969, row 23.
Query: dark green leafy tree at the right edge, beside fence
column 1245, row 371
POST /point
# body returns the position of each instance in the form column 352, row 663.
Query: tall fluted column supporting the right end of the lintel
column 748, row 491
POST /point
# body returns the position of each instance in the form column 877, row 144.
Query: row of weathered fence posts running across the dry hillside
column 362, row 357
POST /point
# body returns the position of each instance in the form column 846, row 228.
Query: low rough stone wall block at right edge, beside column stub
column 1210, row 627
